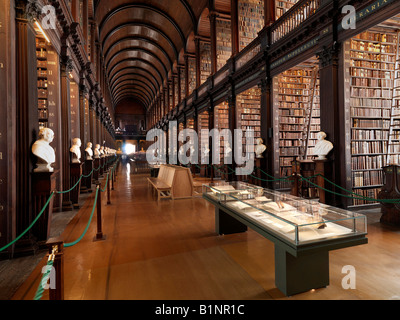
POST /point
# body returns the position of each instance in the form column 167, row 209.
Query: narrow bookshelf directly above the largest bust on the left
column 42, row 82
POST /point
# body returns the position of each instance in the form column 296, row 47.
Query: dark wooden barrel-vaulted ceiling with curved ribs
column 142, row 42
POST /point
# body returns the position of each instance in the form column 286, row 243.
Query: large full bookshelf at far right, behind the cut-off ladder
column 371, row 58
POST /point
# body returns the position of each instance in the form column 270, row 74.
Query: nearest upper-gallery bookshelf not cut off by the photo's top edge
column 224, row 42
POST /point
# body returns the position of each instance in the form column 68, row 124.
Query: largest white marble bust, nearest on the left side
column 43, row 151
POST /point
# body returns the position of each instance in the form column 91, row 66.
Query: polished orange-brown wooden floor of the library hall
column 169, row 251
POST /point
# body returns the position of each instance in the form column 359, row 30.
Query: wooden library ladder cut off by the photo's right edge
column 393, row 145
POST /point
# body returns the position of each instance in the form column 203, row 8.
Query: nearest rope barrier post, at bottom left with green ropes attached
column 56, row 290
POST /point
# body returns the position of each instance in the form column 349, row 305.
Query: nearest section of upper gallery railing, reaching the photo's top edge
column 296, row 15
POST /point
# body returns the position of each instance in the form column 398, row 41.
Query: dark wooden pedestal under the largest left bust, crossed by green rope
column 43, row 184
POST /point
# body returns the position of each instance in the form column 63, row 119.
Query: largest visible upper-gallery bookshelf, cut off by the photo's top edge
column 251, row 21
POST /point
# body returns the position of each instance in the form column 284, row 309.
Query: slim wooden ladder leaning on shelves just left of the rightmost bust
column 305, row 135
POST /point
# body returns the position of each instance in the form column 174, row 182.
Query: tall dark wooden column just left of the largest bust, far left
column 26, row 114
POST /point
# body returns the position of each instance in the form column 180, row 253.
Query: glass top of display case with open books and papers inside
column 297, row 220
